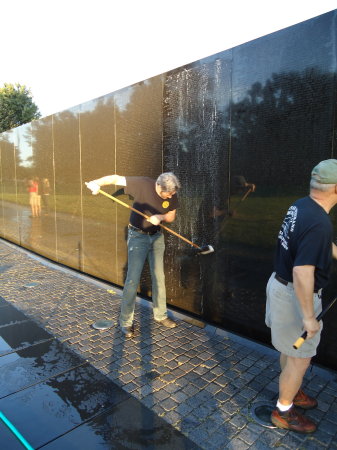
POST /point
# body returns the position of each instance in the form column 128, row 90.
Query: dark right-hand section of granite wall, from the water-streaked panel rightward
column 243, row 129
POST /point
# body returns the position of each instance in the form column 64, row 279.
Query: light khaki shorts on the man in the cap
column 284, row 318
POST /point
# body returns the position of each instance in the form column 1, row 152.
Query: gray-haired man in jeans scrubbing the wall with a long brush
column 158, row 200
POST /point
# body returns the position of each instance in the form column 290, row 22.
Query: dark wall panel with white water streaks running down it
column 197, row 146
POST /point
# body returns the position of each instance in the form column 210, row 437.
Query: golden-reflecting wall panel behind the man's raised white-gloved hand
column 98, row 158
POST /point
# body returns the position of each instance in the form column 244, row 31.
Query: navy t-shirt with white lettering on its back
column 305, row 238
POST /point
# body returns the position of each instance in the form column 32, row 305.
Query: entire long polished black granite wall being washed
column 242, row 129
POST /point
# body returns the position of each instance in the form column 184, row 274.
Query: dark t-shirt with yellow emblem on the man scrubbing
column 147, row 201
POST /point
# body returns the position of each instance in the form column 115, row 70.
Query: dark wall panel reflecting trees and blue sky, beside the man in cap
column 282, row 125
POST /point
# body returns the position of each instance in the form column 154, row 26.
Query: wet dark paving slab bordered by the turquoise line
column 49, row 409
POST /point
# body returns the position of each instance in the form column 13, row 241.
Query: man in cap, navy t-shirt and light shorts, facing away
column 302, row 265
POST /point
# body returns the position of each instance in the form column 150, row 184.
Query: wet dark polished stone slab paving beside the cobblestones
column 54, row 399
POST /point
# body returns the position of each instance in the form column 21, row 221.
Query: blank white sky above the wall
column 70, row 52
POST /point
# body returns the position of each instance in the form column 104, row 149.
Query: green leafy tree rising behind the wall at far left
column 16, row 106
